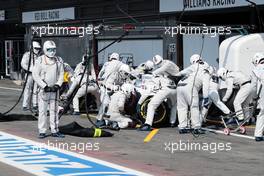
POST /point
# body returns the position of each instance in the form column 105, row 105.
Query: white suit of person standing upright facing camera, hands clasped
column 48, row 72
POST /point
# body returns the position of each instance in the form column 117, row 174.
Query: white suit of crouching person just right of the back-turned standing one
column 214, row 97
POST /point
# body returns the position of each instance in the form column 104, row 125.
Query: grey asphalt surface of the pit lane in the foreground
column 127, row 148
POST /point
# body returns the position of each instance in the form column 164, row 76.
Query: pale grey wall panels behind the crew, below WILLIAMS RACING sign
column 192, row 44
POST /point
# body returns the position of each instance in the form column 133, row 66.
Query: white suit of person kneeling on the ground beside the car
column 116, row 109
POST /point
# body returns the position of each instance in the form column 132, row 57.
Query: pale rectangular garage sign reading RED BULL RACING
column 48, row 15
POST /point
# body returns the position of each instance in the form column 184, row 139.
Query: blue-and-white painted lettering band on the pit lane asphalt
column 23, row 154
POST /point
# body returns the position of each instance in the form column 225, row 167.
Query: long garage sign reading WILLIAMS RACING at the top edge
column 189, row 5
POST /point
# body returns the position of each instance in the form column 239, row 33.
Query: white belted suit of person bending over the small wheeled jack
column 243, row 95
